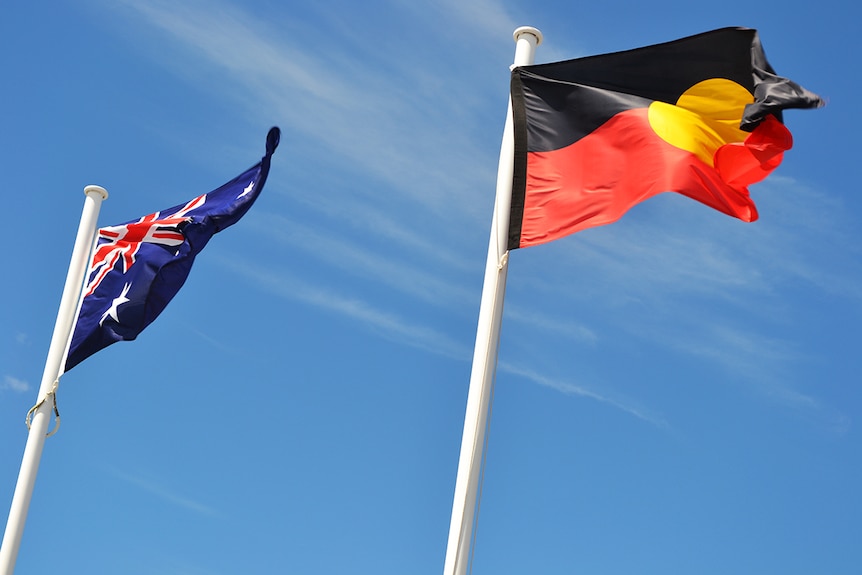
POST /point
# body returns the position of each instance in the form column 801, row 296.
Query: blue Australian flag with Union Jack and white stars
column 139, row 266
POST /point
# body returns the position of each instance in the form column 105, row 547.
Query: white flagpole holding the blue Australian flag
column 41, row 415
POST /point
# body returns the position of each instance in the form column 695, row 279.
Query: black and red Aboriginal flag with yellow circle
column 594, row 136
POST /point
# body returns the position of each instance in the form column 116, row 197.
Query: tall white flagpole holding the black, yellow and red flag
column 479, row 395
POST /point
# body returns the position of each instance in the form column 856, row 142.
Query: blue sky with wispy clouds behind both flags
column 677, row 393
